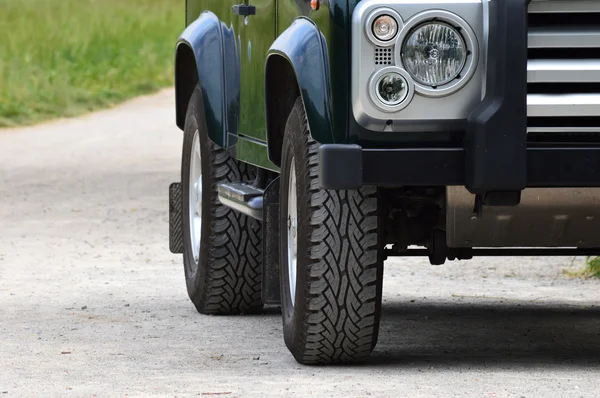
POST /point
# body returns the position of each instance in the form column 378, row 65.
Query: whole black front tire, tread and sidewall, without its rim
column 337, row 308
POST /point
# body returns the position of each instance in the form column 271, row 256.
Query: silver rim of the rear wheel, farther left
column 195, row 197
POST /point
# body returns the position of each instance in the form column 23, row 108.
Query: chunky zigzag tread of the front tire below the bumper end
column 345, row 268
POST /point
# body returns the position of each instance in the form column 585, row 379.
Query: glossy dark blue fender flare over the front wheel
column 297, row 64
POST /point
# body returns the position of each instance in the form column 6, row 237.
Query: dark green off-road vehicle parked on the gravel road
column 323, row 136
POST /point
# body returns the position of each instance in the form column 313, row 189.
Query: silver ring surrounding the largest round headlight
column 468, row 36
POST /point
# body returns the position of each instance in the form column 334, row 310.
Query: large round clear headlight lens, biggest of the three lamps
column 434, row 54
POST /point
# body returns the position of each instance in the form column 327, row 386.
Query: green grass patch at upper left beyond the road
column 66, row 57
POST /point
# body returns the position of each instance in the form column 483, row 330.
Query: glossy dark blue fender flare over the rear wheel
column 199, row 58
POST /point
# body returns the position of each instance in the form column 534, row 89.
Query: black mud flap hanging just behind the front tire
column 271, row 279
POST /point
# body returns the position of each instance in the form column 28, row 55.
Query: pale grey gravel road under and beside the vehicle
column 93, row 304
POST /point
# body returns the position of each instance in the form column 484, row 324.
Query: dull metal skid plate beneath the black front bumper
column 546, row 217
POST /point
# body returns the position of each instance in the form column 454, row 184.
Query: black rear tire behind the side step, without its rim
column 227, row 278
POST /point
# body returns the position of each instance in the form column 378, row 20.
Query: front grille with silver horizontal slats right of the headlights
column 563, row 68
